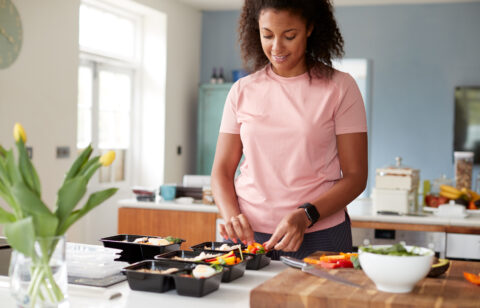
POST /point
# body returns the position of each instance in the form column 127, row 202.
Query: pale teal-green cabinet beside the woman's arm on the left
column 210, row 109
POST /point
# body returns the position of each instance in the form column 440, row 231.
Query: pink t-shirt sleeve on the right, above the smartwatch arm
column 350, row 115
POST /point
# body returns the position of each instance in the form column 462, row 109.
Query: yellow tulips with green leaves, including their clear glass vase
column 35, row 232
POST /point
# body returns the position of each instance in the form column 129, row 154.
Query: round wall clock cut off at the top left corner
column 11, row 33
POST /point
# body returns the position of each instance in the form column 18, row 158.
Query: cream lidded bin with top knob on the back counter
column 396, row 188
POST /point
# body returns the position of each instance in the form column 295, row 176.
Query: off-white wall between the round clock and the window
column 39, row 89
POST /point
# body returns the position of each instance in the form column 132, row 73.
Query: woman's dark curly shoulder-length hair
column 324, row 44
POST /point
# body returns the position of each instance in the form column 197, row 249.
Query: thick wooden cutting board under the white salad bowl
column 294, row 288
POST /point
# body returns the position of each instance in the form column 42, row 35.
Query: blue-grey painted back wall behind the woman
column 418, row 53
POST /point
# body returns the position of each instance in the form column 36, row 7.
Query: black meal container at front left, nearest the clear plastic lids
column 153, row 282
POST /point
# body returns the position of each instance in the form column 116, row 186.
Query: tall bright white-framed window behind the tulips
column 108, row 41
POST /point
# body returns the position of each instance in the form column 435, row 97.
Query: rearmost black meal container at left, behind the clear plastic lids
column 134, row 252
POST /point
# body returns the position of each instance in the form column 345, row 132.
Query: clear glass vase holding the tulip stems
column 40, row 280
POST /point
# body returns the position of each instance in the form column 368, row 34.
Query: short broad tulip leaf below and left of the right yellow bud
column 69, row 195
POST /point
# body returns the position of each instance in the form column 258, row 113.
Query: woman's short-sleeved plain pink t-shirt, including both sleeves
column 288, row 128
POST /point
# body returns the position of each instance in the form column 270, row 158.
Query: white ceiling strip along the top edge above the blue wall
column 224, row 5
